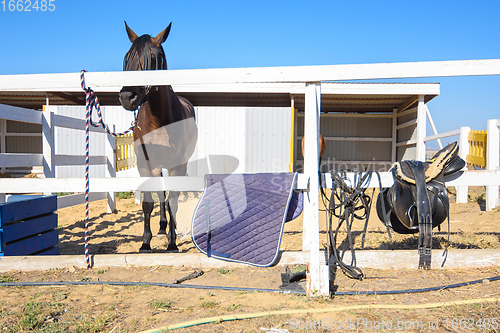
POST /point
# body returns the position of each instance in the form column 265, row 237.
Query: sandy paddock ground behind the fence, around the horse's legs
column 121, row 232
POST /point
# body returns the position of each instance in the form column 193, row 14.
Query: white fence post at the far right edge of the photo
column 492, row 161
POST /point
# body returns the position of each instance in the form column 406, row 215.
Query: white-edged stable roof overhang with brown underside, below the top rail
column 335, row 97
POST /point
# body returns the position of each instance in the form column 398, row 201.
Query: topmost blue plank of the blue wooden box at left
column 24, row 207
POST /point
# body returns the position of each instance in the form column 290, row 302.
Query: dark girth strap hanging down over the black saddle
column 424, row 214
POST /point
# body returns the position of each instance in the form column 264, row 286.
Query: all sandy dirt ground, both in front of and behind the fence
column 113, row 308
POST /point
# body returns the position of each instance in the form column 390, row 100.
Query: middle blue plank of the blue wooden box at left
column 29, row 227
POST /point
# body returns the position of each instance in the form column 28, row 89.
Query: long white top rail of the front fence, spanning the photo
column 64, row 81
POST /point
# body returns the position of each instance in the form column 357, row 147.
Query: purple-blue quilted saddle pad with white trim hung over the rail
column 240, row 217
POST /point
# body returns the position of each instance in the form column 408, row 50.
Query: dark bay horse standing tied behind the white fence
column 165, row 133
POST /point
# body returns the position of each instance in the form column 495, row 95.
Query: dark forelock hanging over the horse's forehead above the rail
column 143, row 48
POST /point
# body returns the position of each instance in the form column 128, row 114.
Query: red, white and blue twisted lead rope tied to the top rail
column 91, row 102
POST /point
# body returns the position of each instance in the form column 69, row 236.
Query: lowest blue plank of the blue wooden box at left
column 31, row 245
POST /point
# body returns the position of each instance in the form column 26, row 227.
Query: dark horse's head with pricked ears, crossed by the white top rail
column 146, row 53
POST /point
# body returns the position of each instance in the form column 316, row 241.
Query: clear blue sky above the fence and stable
column 222, row 34
